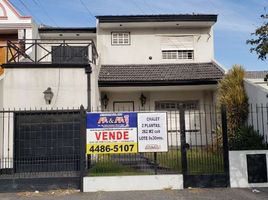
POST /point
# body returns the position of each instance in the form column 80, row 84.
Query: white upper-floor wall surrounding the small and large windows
column 146, row 42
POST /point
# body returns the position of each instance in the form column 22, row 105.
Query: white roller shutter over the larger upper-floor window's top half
column 177, row 43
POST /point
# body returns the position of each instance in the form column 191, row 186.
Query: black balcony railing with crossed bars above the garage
column 51, row 52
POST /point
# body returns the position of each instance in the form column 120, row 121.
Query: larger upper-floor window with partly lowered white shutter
column 177, row 47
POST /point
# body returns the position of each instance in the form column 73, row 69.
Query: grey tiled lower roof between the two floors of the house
column 160, row 74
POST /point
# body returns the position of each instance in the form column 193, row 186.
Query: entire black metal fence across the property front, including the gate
column 51, row 144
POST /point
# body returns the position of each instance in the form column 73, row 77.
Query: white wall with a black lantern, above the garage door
column 23, row 88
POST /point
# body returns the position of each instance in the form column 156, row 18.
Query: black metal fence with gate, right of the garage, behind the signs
column 198, row 151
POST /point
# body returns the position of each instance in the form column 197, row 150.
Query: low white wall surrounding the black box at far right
column 238, row 169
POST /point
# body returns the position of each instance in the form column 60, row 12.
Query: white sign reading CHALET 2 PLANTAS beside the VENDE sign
column 152, row 132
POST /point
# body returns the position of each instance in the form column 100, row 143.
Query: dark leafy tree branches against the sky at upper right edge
column 260, row 42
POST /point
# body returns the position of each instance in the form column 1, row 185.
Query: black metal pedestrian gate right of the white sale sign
column 204, row 146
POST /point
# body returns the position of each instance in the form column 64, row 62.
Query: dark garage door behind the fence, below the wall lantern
column 47, row 141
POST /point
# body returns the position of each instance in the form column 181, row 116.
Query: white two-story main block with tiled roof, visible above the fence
column 152, row 62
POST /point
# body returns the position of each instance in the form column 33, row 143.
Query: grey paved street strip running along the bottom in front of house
column 188, row 194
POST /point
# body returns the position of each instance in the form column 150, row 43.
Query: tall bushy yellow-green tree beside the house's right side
column 232, row 94
